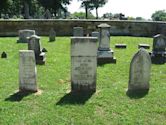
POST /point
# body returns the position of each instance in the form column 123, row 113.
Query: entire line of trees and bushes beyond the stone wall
column 28, row 9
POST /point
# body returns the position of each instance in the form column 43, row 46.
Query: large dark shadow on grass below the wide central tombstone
column 75, row 98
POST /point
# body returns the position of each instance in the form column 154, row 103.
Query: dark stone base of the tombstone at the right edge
column 158, row 58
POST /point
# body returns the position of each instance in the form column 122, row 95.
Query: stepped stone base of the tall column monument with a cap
column 104, row 57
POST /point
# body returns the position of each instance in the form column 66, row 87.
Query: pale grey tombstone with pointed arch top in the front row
column 140, row 68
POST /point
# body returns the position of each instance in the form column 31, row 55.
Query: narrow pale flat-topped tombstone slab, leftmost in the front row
column 27, row 71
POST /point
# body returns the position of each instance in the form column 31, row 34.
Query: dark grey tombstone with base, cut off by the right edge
column 158, row 54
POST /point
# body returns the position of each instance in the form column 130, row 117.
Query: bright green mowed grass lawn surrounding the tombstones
column 52, row 106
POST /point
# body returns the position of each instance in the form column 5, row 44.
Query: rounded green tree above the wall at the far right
column 159, row 15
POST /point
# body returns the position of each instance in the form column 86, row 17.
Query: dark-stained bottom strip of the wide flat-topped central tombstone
column 78, row 88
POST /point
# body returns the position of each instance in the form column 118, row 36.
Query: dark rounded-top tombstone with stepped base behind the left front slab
column 34, row 44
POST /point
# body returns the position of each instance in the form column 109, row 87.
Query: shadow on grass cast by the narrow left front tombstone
column 18, row 96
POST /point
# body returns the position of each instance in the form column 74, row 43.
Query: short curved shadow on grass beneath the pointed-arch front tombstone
column 136, row 94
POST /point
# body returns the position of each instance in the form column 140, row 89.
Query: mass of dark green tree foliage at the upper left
column 31, row 8
